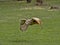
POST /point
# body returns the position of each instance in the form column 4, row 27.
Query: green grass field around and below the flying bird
column 12, row 12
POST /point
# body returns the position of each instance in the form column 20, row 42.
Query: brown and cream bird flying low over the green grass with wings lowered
column 27, row 22
